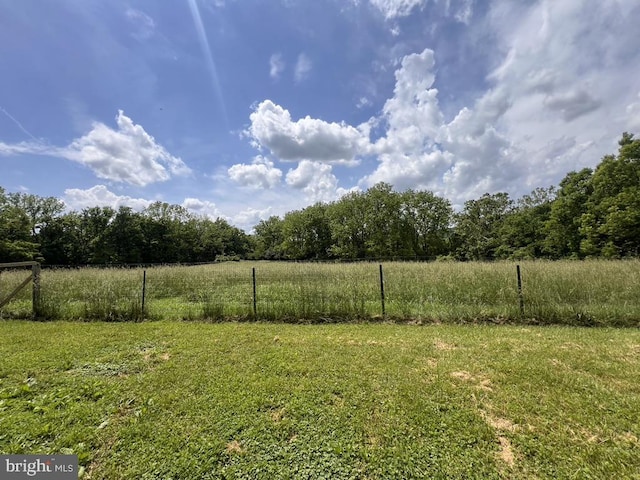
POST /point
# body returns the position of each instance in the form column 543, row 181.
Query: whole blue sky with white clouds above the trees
column 244, row 109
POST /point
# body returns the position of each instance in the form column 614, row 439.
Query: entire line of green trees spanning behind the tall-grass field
column 591, row 213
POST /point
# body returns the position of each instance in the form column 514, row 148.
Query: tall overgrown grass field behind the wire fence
column 591, row 293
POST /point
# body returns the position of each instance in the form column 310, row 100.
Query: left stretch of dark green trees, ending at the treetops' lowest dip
column 36, row 228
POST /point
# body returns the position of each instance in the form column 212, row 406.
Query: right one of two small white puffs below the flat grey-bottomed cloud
column 315, row 179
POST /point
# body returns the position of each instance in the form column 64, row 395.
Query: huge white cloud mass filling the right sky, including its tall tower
column 540, row 117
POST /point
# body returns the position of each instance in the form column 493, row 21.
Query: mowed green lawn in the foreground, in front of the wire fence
column 363, row 401
